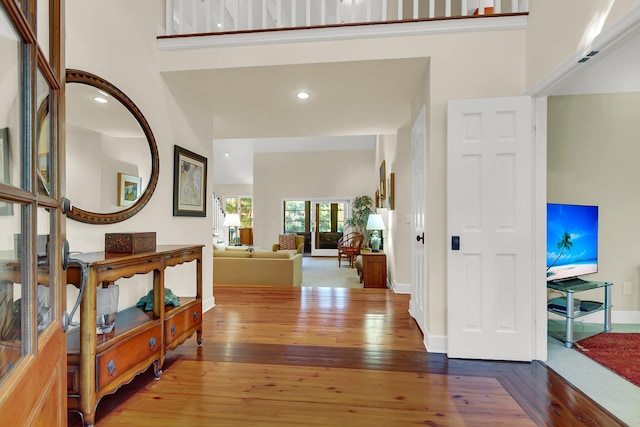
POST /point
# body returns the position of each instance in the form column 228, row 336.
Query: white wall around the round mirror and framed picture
column 117, row 42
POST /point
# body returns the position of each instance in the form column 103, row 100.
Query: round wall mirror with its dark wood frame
column 112, row 157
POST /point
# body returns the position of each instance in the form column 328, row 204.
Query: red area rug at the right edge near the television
column 619, row 352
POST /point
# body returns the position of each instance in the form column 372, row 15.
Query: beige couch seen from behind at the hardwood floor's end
column 239, row 266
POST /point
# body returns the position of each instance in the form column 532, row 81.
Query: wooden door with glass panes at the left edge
column 32, row 338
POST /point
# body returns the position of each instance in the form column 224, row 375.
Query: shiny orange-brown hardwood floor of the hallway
column 276, row 356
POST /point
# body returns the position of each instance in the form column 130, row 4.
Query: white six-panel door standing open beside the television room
column 490, row 190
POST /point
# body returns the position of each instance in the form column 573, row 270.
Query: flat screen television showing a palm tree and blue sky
column 572, row 241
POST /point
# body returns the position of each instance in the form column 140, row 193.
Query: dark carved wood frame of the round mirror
column 78, row 214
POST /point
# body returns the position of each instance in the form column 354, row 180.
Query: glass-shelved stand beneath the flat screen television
column 570, row 287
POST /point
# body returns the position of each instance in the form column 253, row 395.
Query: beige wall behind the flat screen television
column 593, row 154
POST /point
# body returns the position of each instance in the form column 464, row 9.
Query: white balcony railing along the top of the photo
column 189, row 17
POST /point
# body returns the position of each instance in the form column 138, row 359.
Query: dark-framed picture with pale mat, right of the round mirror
column 189, row 183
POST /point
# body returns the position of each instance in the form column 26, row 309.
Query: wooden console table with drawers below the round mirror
column 99, row 364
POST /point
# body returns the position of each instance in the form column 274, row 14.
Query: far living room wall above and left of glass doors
column 306, row 176
